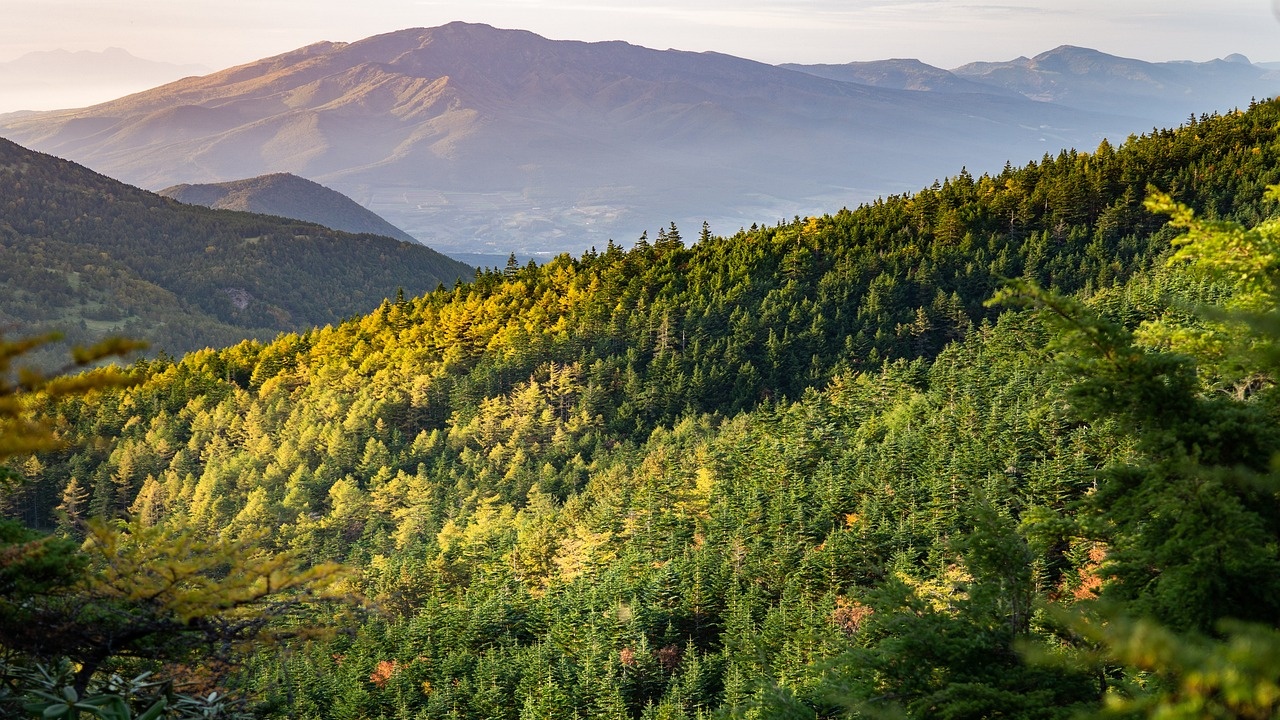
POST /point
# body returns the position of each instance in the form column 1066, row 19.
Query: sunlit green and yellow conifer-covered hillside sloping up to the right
column 804, row 471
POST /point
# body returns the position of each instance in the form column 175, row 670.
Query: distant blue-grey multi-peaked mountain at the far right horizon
column 1163, row 93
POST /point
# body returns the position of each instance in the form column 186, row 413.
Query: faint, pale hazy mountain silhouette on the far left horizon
column 61, row 79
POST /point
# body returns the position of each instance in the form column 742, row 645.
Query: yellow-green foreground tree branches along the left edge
column 136, row 590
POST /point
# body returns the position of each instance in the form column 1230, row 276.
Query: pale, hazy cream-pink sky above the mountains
column 943, row 33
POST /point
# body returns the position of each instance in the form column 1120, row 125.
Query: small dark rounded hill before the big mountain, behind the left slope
column 289, row 197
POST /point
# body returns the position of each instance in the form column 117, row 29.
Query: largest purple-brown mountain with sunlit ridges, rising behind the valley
column 488, row 140
